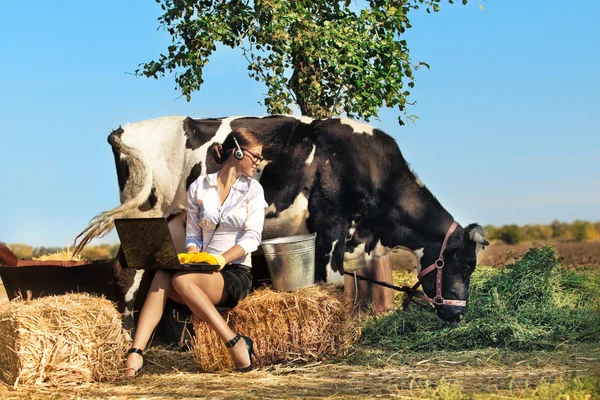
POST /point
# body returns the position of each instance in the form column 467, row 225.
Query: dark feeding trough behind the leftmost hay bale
column 46, row 278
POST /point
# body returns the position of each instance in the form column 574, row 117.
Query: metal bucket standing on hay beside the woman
column 291, row 261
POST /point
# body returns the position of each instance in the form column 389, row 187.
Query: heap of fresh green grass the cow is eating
column 531, row 304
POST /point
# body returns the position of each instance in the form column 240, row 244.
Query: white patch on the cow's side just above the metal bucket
column 291, row 221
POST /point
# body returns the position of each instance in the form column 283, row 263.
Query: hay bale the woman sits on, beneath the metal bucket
column 305, row 325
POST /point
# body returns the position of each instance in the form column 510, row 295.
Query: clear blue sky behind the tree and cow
column 506, row 131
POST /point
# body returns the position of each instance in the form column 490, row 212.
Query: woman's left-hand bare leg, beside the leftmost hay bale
column 150, row 315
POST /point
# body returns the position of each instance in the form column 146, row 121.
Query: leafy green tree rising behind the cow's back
column 329, row 57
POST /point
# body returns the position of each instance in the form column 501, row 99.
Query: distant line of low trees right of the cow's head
column 513, row 234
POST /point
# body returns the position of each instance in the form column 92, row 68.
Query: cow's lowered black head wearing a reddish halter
column 460, row 258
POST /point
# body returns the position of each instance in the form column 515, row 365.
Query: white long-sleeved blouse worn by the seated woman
column 242, row 216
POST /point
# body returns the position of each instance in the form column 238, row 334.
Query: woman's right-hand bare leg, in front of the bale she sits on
column 201, row 292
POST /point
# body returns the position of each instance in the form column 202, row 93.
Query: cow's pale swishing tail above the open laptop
column 140, row 176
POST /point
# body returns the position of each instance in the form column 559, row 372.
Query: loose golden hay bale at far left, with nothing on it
column 60, row 340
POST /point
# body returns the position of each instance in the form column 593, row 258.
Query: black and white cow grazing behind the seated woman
column 343, row 179
